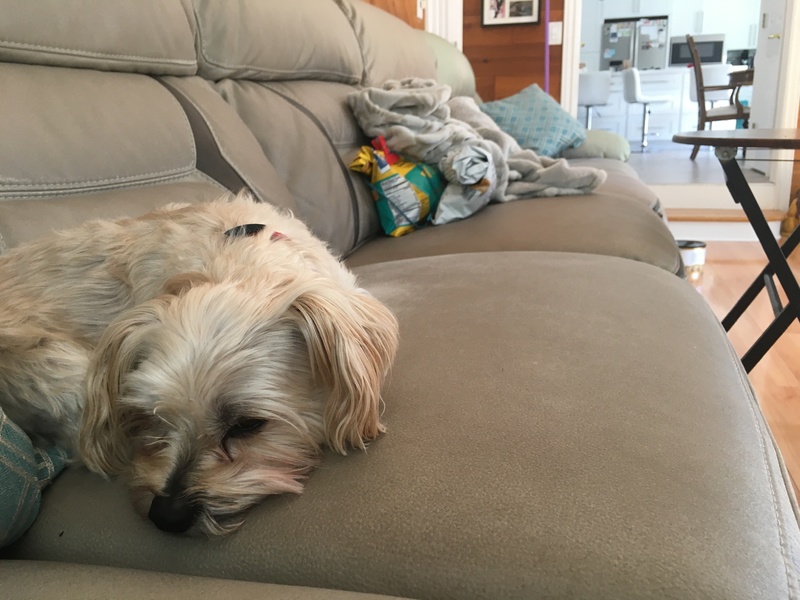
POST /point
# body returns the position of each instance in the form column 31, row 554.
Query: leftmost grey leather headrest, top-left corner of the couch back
column 142, row 36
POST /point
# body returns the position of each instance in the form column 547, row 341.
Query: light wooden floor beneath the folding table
column 729, row 270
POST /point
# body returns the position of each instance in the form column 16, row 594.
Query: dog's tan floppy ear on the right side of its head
column 352, row 339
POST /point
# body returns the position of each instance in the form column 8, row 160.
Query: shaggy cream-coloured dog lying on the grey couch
column 206, row 353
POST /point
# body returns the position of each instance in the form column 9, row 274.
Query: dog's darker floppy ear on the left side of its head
column 102, row 442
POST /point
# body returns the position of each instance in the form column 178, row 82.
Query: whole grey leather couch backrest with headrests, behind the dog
column 112, row 107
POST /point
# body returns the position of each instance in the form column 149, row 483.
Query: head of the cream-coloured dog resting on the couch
column 209, row 399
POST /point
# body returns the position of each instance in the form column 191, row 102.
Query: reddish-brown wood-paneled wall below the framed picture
column 508, row 58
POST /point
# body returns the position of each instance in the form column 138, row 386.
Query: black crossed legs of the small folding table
column 776, row 257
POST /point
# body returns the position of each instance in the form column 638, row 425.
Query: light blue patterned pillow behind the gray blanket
column 536, row 121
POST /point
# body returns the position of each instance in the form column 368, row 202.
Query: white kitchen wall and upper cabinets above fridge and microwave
column 737, row 19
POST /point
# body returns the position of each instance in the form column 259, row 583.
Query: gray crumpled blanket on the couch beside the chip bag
column 419, row 119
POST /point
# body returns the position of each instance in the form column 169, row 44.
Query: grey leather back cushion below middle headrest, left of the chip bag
column 306, row 129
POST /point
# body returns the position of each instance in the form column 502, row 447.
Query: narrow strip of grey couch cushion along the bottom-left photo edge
column 23, row 580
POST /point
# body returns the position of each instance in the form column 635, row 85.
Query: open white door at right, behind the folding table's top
column 767, row 75
